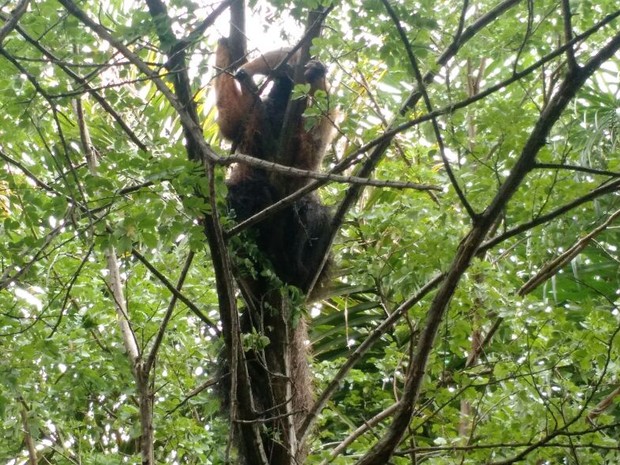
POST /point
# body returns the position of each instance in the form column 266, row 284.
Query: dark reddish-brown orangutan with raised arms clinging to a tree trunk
column 293, row 238
